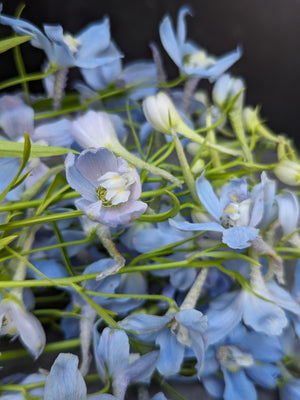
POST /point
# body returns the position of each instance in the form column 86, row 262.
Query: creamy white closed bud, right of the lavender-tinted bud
column 161, row 113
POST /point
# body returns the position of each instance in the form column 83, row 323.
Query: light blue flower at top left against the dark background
column 88, row 49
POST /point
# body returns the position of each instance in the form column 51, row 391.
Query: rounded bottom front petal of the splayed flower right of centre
column 240, row 237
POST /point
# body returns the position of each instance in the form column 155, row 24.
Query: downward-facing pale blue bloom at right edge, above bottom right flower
column 262, row 312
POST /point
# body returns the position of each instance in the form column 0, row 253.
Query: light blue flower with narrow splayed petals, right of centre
column 236, row 213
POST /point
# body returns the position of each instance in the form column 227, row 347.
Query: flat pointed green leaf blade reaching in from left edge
column 14, row 149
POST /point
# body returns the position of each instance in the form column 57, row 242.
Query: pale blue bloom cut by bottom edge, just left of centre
column 112, row 356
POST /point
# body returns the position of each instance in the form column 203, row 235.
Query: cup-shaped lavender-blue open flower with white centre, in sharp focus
column 109, row 186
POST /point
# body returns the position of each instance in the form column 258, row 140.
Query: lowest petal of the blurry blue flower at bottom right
column 238, row 386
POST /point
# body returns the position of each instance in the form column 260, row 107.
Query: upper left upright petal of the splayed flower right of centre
column 208, row 198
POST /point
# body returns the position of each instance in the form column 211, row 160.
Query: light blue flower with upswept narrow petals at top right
column 189, row 58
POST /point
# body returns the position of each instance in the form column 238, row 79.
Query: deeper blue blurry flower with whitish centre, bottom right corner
column 245, row 359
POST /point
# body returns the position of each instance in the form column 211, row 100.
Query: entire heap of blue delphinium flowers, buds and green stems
column 147, row 241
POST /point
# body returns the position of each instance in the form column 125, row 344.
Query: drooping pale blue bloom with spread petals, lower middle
column 173, row 333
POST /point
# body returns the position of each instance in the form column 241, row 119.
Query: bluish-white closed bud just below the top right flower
column 225, row 90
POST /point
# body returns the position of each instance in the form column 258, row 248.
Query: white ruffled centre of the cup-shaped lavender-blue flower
column 114, row 188
